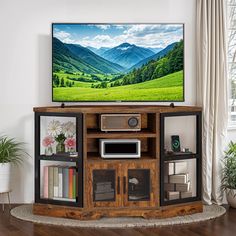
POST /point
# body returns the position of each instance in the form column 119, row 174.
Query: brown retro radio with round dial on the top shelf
column 120, row 122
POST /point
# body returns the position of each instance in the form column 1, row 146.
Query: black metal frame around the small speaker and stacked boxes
column 197, row 156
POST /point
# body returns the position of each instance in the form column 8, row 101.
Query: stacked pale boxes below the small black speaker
column 176, row 178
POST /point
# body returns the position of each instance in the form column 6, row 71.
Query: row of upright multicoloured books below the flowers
column 59, row 183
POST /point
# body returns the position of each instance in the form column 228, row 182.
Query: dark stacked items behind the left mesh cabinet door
column 104, row 191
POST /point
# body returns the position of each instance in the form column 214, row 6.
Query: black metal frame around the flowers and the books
column 78, row 160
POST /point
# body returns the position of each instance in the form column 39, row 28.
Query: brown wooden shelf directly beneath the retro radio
column 95, row 133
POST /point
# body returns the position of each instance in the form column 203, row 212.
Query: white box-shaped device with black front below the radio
column 120, row 148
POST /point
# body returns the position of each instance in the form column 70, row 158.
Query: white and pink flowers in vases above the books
column 61, row 133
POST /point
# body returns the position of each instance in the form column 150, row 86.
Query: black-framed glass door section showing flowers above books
column 59, row 158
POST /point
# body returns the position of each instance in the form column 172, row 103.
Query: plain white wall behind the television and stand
column 25, row 58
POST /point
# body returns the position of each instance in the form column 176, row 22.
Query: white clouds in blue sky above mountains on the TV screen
column 156, row 36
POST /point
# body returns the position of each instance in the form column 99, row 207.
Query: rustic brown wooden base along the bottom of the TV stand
column 92, row 213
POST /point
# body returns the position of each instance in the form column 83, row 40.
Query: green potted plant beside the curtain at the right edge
column 229, row 174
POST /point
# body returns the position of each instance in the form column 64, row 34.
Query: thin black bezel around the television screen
column 117, row 101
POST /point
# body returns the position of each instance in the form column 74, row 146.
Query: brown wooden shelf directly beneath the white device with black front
column 94, row 156
